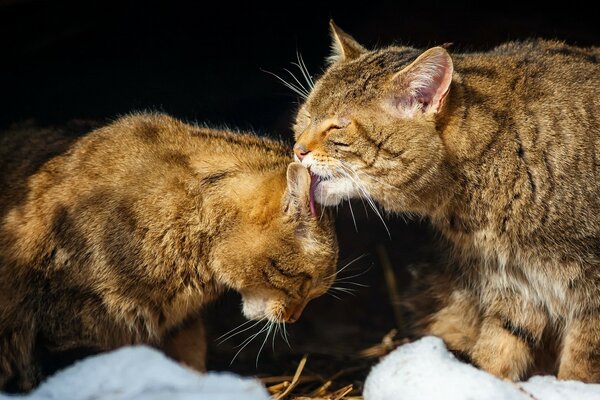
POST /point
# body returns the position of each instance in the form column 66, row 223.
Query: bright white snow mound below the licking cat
column 425, row 369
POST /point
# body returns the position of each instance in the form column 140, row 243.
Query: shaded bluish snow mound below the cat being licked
column 136, row 373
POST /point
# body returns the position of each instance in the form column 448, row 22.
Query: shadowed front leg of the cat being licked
column 187, row 344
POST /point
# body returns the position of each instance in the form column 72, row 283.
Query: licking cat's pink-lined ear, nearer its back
column 424, row 84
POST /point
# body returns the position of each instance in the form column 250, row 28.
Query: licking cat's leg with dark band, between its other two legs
column 511, row 331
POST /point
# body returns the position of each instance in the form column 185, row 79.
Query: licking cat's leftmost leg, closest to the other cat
column 457, row 322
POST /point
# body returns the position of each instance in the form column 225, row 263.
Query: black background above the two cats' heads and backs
column 202, row 60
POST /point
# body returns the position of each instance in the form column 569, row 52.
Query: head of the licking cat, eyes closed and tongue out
column 368, row 127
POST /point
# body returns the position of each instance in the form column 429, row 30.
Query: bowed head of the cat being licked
column 284, row 252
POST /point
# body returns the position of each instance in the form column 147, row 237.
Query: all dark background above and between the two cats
column 202, row 61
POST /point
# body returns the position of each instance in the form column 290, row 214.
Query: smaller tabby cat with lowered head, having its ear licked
column 121, row 236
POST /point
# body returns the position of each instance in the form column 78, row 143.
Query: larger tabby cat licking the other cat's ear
column 499, row 150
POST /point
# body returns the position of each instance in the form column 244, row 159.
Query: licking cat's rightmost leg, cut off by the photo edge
column 580, row 357
